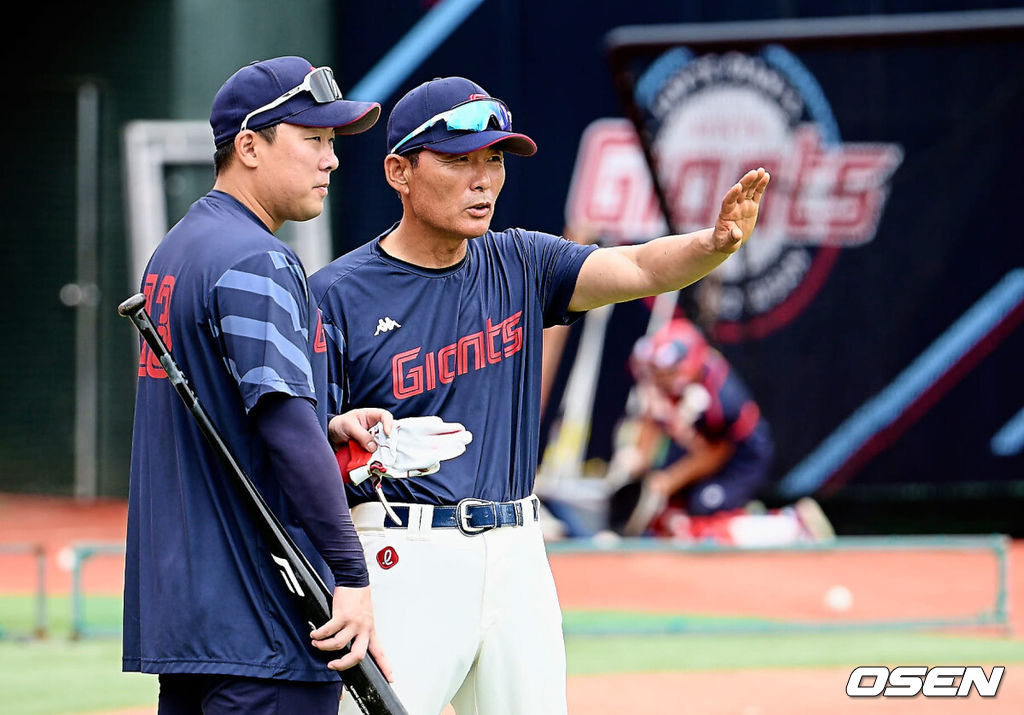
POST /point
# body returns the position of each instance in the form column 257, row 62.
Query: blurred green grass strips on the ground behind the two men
column 58, row 677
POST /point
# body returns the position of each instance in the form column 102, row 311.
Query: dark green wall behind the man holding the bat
column 158, row 60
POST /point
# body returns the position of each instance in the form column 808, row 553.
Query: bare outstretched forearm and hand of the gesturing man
column 619, row 274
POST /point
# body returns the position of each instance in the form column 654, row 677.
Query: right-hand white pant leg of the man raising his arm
column 521, row 669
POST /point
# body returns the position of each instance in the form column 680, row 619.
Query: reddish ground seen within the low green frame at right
column 885, row 586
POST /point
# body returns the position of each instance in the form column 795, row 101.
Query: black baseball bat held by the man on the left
column 365, row 682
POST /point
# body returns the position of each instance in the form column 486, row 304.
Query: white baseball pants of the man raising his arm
column 474, row 621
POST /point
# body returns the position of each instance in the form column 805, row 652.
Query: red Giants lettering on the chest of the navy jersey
column 411, row 376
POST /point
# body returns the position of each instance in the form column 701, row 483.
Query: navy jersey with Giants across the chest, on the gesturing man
column 463, row 343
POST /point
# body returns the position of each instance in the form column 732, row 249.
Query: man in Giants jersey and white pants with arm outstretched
column 442, row 316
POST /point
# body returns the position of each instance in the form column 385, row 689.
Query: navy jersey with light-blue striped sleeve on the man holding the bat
column 201, row 596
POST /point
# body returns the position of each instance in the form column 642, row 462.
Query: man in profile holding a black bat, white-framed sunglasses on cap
column 204, row 607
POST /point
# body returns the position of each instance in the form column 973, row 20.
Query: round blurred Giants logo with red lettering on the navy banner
column 715, row 117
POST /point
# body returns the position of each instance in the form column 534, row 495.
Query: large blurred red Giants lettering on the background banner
column 830, row 196
